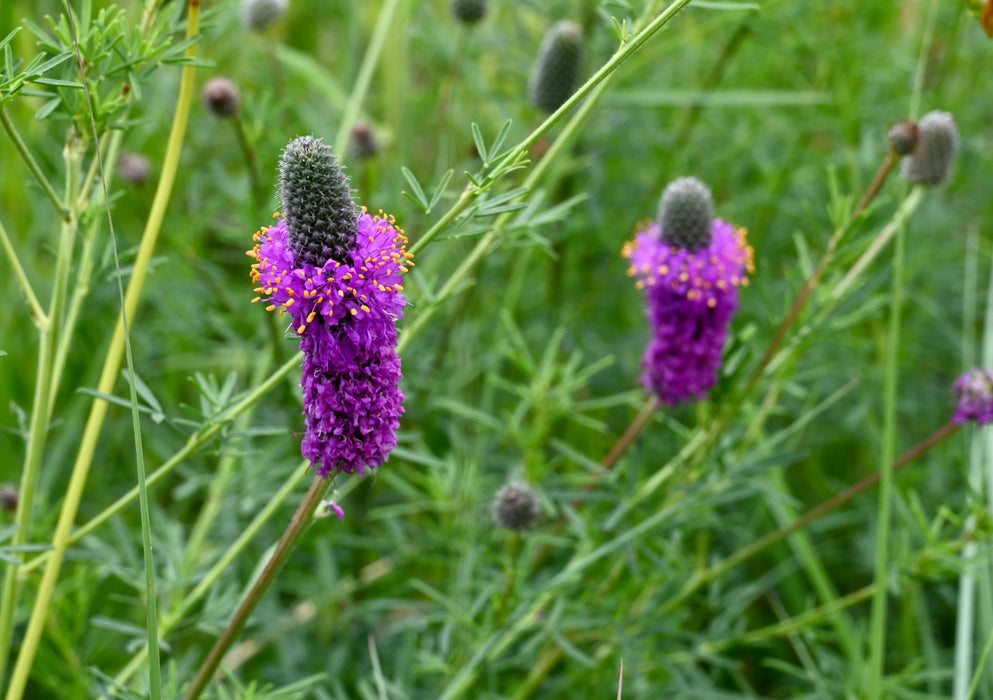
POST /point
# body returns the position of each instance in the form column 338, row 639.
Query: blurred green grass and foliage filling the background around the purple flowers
column 524, row 367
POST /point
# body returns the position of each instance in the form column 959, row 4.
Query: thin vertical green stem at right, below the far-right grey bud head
column 877, row 624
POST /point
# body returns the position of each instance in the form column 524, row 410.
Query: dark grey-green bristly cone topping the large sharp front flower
column 317, row 202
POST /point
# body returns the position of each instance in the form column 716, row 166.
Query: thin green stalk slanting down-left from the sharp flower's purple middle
column 193, row 443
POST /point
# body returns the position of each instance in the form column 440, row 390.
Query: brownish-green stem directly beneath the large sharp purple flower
column 301, row 519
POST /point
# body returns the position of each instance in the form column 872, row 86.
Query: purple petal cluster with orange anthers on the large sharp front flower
column 345, row 314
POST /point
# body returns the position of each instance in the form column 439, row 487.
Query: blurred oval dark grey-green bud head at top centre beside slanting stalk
column 557, row 70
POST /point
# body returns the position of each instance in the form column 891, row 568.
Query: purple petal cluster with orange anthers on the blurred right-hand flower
column 692, row 296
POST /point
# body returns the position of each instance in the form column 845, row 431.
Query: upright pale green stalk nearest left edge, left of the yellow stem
column 50, row 333
